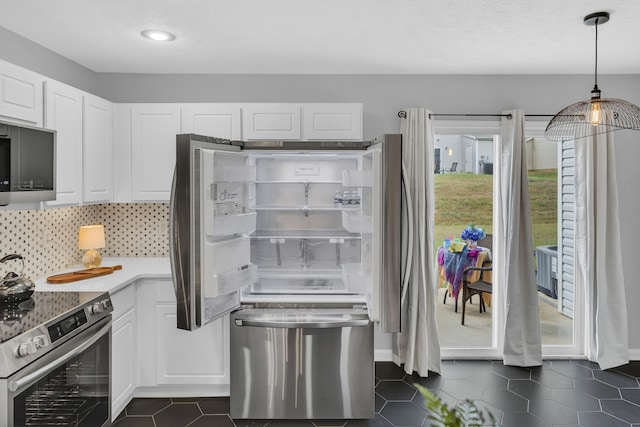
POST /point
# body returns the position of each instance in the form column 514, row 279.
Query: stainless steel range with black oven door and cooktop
column 55, row 360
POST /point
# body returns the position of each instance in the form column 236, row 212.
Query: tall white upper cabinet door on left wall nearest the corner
column 98, row 149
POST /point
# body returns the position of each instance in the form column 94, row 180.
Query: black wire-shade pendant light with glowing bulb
column 597, row 115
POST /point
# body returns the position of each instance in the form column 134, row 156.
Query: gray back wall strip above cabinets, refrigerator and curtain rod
column 382, row 96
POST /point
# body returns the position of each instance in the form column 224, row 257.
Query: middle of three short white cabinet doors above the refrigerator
column 271, row 121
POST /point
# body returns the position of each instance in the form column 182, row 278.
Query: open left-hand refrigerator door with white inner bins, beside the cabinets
column 210, row 248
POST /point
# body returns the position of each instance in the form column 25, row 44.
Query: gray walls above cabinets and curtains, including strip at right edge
column 382, row 96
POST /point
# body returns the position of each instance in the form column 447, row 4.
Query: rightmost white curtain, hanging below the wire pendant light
column 598, row 251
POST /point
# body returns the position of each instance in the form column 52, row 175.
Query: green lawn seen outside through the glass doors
column 465, row 198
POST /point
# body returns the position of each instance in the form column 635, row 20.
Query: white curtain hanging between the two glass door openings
column 513, row 259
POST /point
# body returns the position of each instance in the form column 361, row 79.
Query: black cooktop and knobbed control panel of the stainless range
column 32, row 328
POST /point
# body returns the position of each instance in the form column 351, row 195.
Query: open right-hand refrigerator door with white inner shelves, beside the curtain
column 379, row 220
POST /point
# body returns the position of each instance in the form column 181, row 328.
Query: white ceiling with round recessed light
column 334, row 36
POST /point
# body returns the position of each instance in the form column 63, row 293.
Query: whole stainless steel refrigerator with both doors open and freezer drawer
column 301, row 242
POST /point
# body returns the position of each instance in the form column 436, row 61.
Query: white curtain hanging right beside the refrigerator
column 417, row 347
